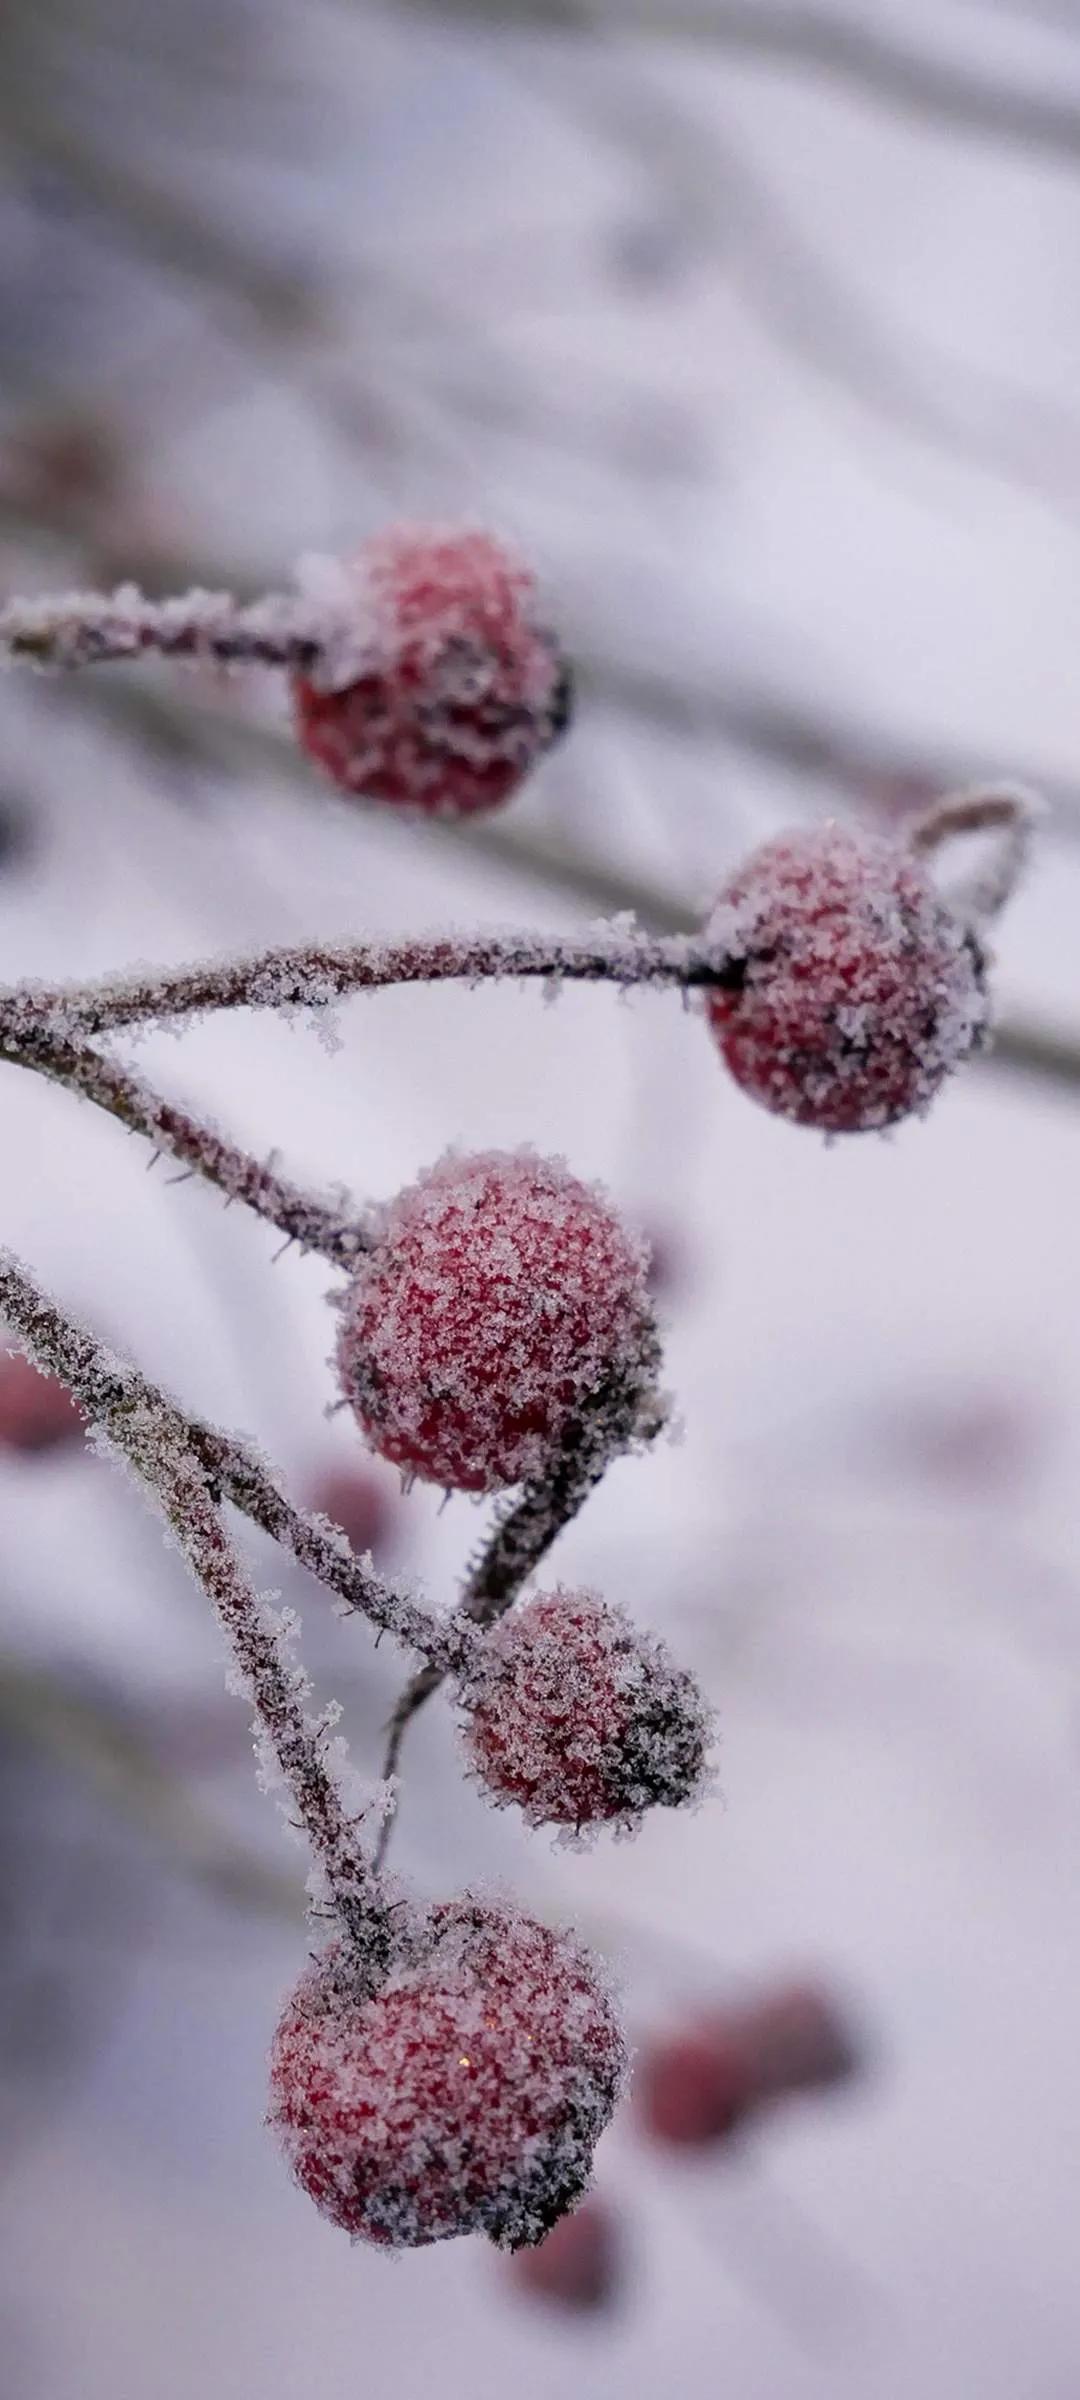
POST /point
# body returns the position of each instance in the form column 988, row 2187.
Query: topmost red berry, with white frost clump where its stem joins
column 455, row 688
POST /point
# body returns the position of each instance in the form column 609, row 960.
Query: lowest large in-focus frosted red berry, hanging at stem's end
column 460, row 2096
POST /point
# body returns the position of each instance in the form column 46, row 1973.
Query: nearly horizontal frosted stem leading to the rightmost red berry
column 311, row 976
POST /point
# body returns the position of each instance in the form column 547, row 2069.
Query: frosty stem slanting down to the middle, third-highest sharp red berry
column 30, row 1043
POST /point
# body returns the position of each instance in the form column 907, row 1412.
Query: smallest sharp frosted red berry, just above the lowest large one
column 580, row 1720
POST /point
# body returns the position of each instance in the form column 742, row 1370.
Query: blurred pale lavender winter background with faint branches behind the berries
column 760, row 328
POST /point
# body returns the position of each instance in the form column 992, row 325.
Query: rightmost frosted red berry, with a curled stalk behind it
column 853, row 985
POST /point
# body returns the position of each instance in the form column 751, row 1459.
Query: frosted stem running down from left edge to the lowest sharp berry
column 155, row 1439
